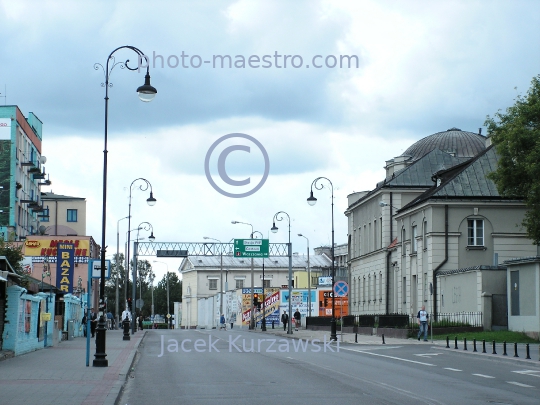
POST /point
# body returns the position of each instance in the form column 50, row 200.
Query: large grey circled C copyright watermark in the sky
column 223, row 172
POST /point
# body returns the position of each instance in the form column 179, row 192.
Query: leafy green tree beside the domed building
column 516, row 136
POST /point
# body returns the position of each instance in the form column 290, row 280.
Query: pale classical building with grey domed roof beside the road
column 435, row 213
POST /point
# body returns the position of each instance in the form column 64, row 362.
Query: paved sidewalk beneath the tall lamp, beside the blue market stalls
column 58, row 375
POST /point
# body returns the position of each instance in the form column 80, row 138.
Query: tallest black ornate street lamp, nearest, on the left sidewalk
column 146, row 93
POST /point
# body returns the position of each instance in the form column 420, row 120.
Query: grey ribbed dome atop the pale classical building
column 454, row 141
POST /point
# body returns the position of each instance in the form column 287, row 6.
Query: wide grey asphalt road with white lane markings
column 238, row 367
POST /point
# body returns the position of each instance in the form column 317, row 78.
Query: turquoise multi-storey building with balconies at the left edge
column 21, row 173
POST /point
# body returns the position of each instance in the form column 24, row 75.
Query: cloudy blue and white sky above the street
column 422, row 67
